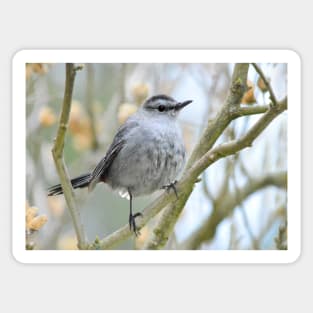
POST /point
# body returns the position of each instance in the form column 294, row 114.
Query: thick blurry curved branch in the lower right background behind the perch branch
column 226, row 203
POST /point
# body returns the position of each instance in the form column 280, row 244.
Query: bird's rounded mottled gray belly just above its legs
column 143, row 169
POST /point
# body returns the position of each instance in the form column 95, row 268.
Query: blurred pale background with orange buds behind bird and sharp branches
column 241, row 201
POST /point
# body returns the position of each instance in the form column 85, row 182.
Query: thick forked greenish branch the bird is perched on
column 202, row 157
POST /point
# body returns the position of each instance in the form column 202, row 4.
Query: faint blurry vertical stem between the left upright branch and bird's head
column 90, row 102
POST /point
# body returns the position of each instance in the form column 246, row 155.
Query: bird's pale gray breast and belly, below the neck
column 150, row 159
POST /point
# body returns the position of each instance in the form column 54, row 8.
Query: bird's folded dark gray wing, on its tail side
column 117, row 145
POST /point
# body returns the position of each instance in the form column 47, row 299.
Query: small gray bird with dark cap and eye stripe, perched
column 147, row 154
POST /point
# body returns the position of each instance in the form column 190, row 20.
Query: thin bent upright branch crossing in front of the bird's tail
column 57, row 152
